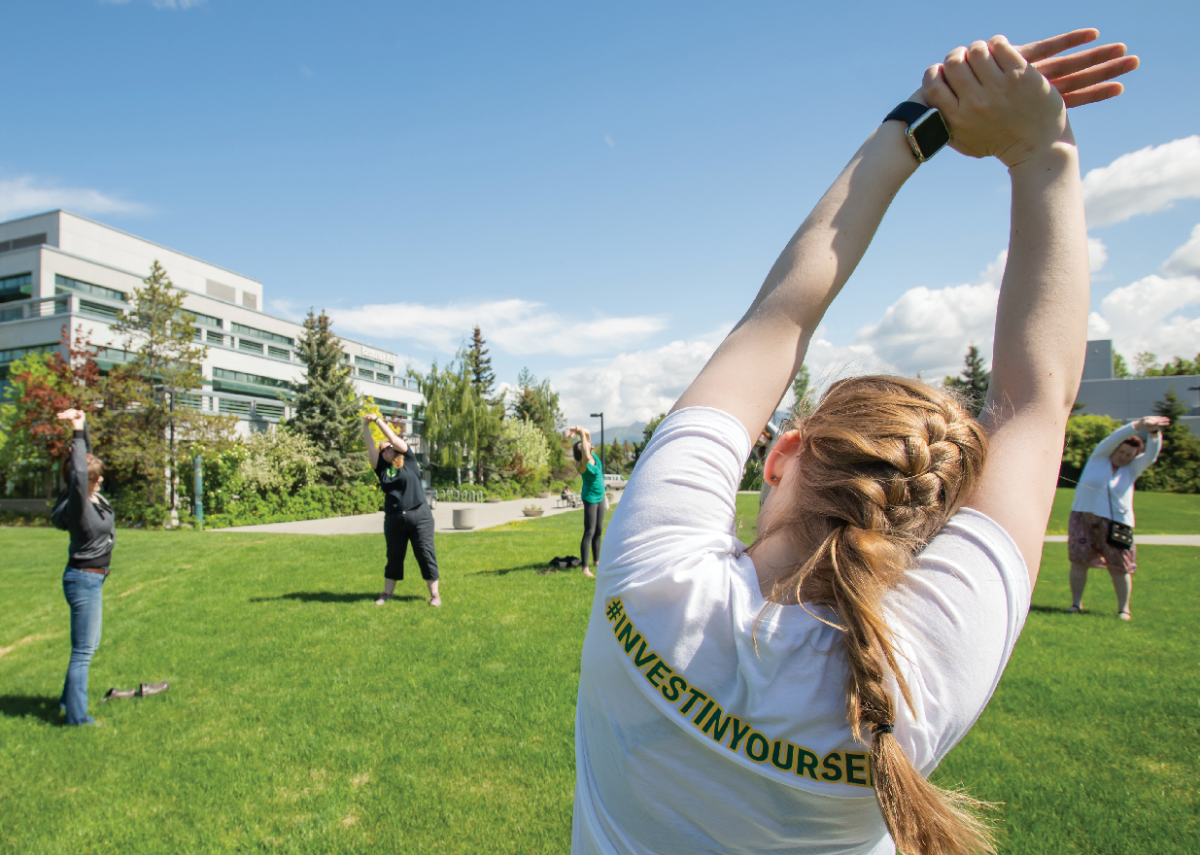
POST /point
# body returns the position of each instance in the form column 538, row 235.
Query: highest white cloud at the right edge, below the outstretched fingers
column 1143, row 182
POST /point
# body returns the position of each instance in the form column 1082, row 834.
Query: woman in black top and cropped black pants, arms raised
column 407, row 517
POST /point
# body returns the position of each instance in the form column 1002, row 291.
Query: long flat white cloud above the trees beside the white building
column 514, row 326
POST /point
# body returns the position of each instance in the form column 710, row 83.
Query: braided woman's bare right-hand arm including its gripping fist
column 997, row 104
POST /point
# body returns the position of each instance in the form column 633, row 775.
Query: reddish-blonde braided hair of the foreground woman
column 884, row 464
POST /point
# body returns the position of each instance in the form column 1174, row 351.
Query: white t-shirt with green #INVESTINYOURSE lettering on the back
column 691, row 740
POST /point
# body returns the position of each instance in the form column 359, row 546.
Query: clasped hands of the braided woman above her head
column 1009, row 101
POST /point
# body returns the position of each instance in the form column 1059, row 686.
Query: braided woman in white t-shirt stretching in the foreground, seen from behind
column 795, row 697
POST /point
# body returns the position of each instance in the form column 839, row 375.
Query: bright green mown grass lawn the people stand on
column 303, row 719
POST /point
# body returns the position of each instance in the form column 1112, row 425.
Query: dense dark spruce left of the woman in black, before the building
column 328, row 408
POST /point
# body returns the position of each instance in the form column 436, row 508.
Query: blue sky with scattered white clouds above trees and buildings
column 602, row 188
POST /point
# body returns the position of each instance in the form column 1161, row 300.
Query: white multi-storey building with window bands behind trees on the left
column 59, row 268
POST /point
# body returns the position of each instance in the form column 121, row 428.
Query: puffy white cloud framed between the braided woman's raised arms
column 929, row 330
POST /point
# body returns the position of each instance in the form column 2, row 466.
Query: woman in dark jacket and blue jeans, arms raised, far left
column 92, row 527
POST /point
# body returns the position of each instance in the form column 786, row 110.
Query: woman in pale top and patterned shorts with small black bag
column 1105, row 495
